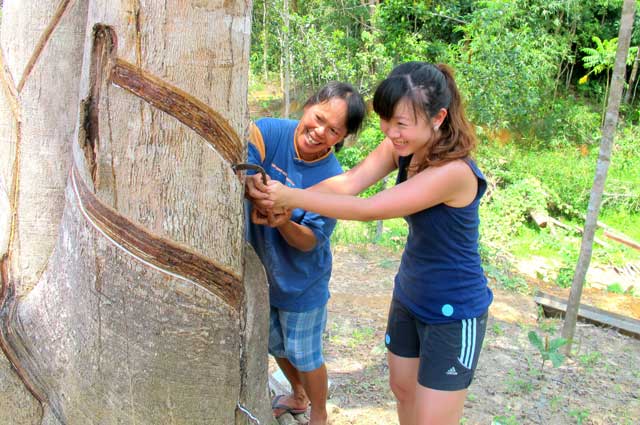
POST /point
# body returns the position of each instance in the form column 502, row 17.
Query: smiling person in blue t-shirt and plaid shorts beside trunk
column 294, row 245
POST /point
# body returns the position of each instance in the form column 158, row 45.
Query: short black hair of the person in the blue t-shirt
column 356, row 108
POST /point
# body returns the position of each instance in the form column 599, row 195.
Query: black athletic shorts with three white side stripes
column 448, row 352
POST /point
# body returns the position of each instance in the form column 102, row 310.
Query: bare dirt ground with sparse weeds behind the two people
column 600, row 384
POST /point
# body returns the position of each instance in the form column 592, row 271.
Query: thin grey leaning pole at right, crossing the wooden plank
column 604, row 159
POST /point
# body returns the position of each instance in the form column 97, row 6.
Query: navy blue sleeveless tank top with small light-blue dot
column 440, row 278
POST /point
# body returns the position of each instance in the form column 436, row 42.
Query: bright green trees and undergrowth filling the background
column 517, row 64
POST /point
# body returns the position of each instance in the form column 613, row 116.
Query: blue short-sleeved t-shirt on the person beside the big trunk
column 298, row 281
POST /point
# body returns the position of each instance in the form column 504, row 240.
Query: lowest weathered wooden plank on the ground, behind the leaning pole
column 556, row 306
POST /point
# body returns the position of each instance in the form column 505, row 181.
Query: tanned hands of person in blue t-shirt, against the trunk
column 262, row 212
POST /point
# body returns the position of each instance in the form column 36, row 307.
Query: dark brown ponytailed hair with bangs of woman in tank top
column 429, row 88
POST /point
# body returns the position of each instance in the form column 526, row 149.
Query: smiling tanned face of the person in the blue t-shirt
column 321, row 126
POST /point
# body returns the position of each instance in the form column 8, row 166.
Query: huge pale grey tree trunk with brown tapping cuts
column 127, row 296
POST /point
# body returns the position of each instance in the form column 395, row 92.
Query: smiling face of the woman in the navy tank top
column 410, row 130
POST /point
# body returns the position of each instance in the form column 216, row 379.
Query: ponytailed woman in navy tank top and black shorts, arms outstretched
column 438, row 313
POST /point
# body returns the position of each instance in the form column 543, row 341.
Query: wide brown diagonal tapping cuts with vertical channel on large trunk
column 160, row 253
